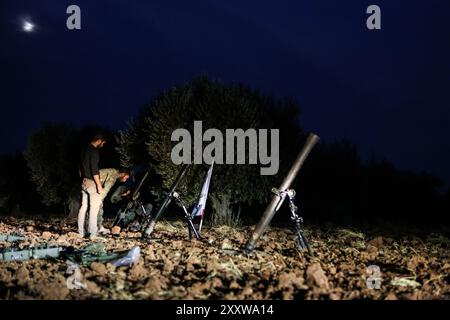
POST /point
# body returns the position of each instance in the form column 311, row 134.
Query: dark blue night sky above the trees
column 388, row 91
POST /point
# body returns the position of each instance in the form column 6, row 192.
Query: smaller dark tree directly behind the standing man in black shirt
column 53, row 155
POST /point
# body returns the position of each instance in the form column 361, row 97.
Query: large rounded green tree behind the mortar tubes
column 217, row 106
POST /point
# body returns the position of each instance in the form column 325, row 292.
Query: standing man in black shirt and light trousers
column 91, row 189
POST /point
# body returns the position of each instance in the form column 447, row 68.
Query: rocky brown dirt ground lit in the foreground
column 173, row 267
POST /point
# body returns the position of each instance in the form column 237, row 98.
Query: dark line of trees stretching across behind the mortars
column 335, row 185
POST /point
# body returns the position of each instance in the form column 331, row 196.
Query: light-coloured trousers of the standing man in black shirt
column 90, row 202
